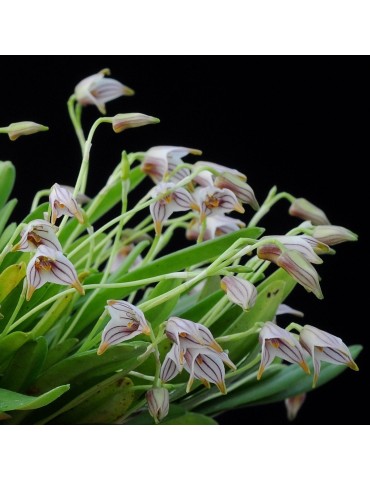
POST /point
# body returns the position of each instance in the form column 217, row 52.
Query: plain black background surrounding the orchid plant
column 300, row 125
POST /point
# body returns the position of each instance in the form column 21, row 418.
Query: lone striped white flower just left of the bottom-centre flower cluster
column 127, row 321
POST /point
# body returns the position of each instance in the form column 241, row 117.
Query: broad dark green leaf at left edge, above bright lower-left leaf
column 25, row 365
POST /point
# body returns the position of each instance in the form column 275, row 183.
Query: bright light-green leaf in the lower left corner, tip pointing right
column 17, row 401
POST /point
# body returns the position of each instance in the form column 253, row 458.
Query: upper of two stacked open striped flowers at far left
column 37, row 233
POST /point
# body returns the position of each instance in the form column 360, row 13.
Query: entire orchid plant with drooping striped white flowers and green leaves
column 100, row 326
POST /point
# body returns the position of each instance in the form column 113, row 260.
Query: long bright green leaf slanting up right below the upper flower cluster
column 176, row 261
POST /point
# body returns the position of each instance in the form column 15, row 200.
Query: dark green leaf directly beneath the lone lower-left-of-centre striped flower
column 82, row 367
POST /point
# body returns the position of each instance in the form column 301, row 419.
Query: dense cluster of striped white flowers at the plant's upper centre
column 214, row 192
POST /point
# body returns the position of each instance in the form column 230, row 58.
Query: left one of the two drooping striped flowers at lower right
column 277, row 342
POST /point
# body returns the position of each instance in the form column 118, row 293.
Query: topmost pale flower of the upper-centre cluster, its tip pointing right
column 160, row 161
